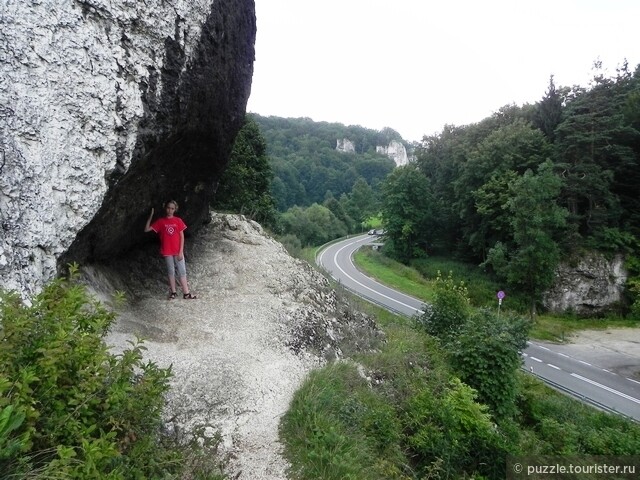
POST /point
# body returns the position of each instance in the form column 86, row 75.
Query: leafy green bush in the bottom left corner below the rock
column 68, row 407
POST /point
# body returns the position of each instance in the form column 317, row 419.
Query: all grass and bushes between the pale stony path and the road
column 402, row 413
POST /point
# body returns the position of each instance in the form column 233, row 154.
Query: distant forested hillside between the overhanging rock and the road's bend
column 288, row 174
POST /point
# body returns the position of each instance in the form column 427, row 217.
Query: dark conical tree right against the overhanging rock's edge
column 245, row 184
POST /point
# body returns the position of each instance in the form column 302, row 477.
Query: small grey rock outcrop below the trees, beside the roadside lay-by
column 590, row 287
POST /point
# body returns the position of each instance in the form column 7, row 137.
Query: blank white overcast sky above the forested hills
column 416, row 65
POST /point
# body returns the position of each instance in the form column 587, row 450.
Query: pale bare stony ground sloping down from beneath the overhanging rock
column 262, row 321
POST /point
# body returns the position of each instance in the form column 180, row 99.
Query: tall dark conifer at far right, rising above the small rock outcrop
column 593, row 142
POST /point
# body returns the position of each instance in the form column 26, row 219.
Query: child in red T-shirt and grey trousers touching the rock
column 171, row 229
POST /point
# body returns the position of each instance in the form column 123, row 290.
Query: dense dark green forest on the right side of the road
column 527, row 187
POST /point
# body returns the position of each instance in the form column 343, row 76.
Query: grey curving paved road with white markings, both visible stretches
column 578, row 377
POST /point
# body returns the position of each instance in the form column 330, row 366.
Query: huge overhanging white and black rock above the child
column 108, row 108
